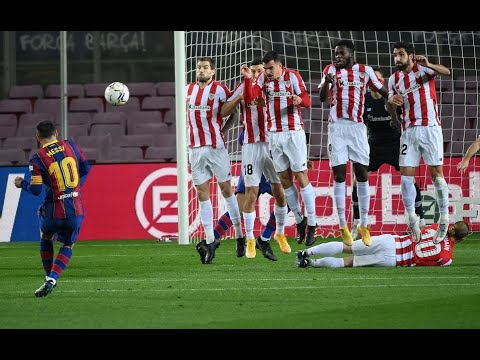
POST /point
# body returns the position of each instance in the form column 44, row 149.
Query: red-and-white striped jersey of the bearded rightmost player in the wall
column 420, row 97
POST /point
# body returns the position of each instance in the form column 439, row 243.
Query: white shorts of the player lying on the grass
column 382, row 252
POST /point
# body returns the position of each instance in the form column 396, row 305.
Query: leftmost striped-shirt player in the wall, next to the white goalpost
column 207, row 154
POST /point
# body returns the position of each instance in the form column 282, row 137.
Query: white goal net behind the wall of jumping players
column 309, row 52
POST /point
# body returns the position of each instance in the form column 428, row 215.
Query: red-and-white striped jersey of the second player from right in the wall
column 347, row 92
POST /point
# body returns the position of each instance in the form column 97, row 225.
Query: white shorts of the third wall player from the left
column 289, row 150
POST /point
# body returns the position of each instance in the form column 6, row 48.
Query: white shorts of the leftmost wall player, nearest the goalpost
column 206, row 162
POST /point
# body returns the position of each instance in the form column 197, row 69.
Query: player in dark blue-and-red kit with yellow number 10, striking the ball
column 61, row 166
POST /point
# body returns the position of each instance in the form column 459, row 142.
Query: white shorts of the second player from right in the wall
column 348, row 139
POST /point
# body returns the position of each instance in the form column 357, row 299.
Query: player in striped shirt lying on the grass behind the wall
column 389, row 250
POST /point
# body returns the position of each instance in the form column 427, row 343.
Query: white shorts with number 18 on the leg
column 253, row 155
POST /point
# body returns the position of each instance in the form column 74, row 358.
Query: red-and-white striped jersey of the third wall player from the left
column 282, row 115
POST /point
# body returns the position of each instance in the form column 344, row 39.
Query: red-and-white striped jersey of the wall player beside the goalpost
column 203, row 114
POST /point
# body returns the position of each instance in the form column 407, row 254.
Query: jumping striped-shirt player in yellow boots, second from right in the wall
column 346, row 82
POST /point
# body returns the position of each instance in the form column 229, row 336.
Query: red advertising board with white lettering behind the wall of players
column 139, row 201
